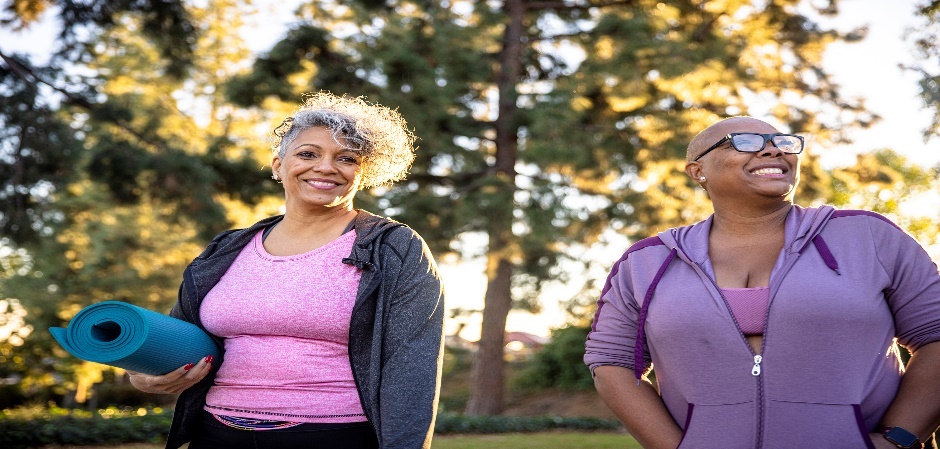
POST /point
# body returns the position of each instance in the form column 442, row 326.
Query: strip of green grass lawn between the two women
column 541, row 440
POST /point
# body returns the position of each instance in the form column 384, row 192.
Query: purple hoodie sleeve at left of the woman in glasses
column 613, row 334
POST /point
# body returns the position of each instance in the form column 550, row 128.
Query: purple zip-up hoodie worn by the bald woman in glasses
column 846, row 284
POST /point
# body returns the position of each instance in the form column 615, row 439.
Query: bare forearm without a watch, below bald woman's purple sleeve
column 638, row 406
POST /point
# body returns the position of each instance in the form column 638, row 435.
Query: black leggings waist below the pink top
column 215, row 435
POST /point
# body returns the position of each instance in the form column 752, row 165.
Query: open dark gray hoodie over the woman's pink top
column 395, row 334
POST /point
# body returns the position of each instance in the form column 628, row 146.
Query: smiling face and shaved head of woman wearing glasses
column 769, row 173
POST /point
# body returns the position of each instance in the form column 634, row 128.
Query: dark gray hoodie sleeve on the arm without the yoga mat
column 412, row 354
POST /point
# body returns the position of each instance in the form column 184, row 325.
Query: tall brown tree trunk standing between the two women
column 488, row 382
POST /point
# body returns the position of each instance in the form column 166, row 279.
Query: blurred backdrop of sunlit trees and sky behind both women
column 551, row 135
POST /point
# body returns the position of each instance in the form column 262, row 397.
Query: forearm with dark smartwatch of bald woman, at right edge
column 916, row 408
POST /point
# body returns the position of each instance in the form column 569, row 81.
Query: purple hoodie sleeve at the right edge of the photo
column 914, row 293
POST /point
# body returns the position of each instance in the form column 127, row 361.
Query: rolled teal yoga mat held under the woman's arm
column 127, row 336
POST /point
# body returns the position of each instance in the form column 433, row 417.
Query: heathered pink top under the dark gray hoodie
column 285, row 320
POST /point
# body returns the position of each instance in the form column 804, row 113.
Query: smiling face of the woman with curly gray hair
column 318, row 172
